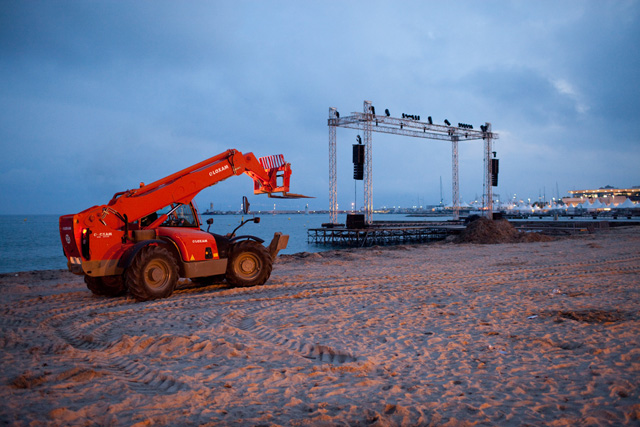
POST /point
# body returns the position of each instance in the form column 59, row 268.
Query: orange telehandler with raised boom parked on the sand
column 144, row 239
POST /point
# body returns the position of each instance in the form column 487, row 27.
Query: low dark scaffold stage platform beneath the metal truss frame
column 383, row 233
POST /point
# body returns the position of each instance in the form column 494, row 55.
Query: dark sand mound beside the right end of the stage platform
column 486, row 231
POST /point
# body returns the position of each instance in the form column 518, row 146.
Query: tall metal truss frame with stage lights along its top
column 368, row 121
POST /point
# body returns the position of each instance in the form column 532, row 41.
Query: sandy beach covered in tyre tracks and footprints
column 542, row 333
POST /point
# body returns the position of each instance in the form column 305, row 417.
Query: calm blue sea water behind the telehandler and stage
column 32, row 242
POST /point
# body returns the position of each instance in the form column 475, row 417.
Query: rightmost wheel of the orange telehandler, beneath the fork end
column 249, row 264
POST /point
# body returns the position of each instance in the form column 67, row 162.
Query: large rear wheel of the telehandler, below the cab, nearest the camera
column 153, row 274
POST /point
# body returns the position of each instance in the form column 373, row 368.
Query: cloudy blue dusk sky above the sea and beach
column 97, row 96
